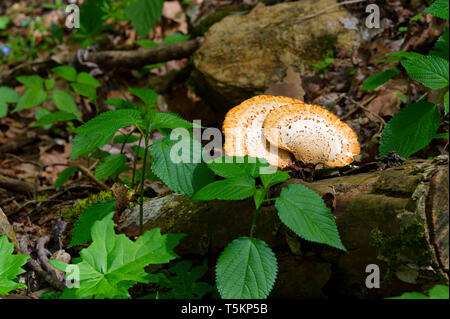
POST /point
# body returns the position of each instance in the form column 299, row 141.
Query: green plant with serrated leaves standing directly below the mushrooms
column 247, row 268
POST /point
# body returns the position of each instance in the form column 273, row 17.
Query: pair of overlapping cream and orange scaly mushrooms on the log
column 265, row 123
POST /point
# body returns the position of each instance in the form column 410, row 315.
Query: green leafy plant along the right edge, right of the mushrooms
column 413, row 127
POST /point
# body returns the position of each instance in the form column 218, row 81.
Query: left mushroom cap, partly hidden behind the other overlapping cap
column 243, row 129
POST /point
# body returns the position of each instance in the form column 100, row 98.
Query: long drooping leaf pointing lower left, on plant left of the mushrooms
column 101, row 129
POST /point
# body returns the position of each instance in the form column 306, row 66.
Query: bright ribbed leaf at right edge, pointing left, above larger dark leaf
column 431, row 71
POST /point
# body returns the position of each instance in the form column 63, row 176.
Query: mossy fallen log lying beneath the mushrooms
column 396, row 218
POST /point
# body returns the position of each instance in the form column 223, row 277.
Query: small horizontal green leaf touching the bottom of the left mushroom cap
column 229, row 166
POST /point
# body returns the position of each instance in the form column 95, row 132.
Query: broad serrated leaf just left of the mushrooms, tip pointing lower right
column 185, row 175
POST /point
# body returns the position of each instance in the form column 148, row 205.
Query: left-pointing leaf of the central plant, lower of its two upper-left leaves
column 235, row 188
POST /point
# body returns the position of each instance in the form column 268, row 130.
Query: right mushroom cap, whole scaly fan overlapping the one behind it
column 312, row 134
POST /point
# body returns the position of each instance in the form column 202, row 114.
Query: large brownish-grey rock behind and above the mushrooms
column 243, row 54
